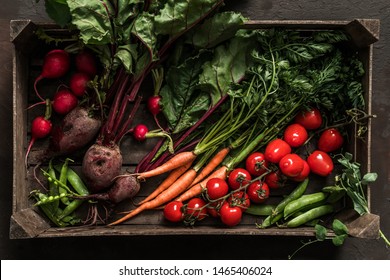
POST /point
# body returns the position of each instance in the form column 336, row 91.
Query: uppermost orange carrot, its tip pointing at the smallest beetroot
column 178, row 160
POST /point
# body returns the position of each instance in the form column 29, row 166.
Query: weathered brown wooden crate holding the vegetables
column 28, row 222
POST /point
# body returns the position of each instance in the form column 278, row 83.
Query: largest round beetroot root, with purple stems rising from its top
column 101, row 165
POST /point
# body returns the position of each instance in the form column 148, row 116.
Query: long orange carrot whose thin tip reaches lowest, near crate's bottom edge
column 179, row 186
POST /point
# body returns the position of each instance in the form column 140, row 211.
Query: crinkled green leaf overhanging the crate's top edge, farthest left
column 93, row 19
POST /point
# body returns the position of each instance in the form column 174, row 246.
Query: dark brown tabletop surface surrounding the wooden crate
column 210, row 247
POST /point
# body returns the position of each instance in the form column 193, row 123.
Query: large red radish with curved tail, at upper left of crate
column 55, row 65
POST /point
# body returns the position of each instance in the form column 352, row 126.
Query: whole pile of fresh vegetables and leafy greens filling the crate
column 241, row 114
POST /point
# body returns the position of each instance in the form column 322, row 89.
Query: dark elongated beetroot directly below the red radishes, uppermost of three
column 75, row 131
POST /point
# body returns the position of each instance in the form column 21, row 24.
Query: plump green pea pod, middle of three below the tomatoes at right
column 305, row 201
